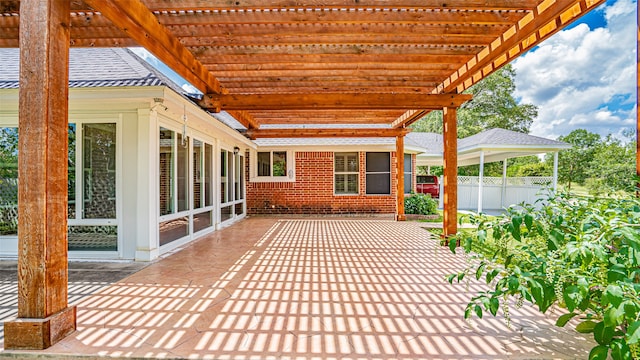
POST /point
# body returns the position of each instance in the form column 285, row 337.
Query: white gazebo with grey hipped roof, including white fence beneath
column 491, row 146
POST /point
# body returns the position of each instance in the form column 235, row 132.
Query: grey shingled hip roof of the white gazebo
column 496, row 144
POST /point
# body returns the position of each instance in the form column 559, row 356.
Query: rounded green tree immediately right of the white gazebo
column 574, row 163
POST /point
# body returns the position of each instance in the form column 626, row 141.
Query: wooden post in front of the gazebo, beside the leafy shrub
column 450, row 172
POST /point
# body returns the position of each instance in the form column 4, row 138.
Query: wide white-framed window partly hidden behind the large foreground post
column 91, row 186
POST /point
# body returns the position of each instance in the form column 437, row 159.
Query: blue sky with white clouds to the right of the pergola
column 576, row 77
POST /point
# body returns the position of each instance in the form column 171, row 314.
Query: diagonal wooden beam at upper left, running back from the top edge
column 138, row 22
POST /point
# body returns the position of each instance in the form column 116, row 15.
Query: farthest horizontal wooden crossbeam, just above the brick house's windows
column 325, row 133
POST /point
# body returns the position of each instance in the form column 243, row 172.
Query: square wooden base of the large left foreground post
column 39, row 334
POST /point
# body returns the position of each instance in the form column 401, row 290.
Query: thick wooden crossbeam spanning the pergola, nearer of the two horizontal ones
column 330, row 101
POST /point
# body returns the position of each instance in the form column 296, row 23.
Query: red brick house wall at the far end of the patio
column 312, row 192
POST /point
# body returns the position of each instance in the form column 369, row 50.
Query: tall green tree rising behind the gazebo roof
column 492, row 106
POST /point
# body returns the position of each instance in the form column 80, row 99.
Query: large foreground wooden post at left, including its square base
column 44, row 316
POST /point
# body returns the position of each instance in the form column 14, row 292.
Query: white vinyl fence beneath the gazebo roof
column 498, row 195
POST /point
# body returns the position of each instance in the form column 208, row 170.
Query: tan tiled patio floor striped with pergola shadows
column 306, row 289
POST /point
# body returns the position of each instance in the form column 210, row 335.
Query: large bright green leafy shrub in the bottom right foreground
column 582, row 255
